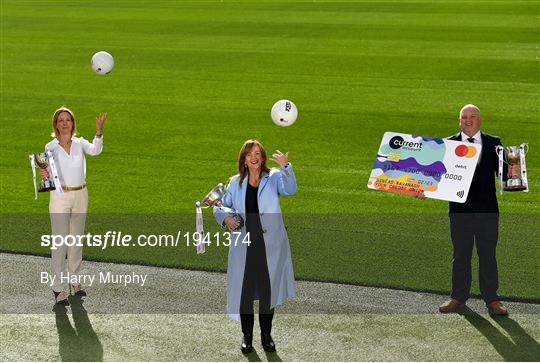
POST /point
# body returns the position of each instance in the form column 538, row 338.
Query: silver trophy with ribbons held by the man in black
column 513, row 155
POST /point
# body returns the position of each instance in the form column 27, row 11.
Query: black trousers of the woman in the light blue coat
column 256, row 284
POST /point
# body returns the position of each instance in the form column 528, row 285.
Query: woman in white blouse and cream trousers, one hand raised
column 68, row 204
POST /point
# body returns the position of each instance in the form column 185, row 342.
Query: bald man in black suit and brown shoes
column 476, row 221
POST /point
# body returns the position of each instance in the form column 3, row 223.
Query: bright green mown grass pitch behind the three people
column 194, row 79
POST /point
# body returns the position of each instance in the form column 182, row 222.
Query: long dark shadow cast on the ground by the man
column 521, row 347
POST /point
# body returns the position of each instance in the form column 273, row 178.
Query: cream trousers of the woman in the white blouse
column 68, row 217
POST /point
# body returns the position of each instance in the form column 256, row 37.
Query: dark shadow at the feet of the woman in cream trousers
column 78, row 343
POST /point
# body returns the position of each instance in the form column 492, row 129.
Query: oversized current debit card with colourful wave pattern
column 410, row 164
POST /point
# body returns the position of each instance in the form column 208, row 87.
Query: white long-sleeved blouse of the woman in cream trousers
column 72, row 167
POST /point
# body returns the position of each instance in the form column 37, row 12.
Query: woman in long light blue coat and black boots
column 263, row 269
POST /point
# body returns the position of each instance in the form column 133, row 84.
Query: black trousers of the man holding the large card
column 468, row 229
